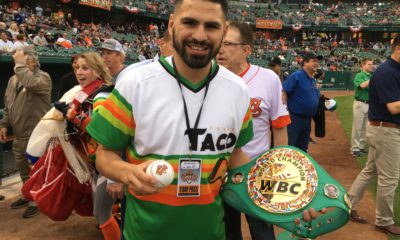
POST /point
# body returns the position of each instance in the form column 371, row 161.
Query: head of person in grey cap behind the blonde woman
column 114, row 57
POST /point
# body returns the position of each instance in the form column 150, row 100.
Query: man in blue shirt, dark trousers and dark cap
column 302, row 100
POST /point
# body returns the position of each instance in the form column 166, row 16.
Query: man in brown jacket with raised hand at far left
column 26, row 100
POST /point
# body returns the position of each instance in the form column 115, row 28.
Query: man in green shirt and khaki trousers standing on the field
column 360, row 108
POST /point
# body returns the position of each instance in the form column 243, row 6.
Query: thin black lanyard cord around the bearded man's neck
column 191, row 131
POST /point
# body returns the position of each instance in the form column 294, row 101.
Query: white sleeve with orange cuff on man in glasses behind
column 279, row 114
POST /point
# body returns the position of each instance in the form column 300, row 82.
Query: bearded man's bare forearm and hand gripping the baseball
column 110, row 165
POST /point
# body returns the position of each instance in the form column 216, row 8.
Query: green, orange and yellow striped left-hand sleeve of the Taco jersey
column 113, row 124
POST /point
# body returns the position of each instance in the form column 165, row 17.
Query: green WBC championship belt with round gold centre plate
column 279, row 184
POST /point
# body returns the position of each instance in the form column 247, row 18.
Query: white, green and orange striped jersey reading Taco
column 145, row 115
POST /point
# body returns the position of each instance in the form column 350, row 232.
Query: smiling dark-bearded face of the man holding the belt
column 197, row 29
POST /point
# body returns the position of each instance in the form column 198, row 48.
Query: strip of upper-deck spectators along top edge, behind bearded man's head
column 341, row 13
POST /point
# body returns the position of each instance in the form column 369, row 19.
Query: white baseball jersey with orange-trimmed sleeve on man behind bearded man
column 266, row 107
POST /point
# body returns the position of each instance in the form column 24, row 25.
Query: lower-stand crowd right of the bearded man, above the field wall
column 337, row 55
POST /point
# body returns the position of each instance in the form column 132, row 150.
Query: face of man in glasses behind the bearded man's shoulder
column 232, row 54
